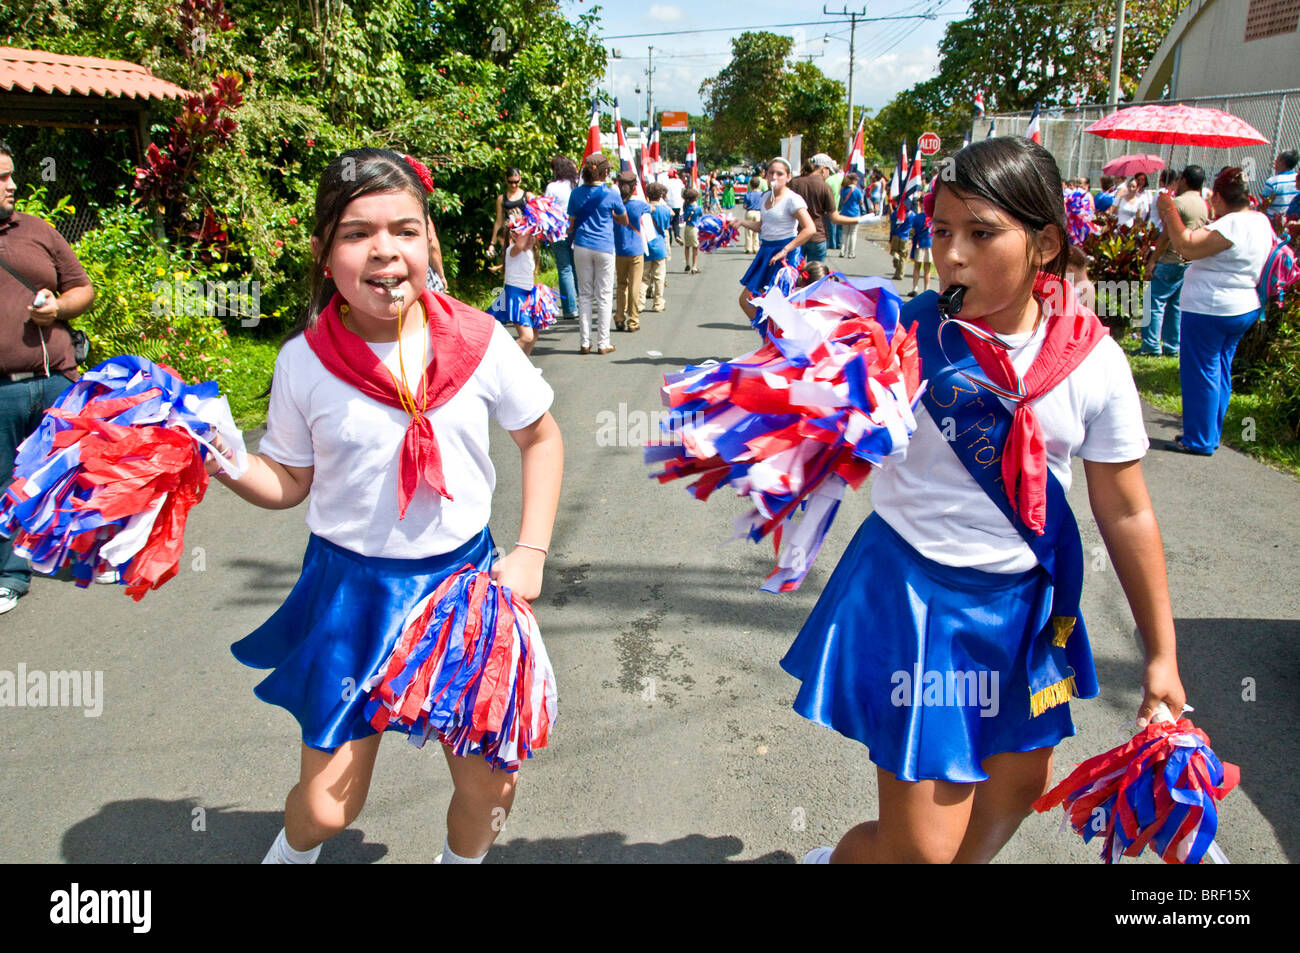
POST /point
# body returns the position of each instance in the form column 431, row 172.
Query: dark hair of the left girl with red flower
column 352, row 176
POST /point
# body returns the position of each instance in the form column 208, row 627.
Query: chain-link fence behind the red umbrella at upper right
column 1276, row 115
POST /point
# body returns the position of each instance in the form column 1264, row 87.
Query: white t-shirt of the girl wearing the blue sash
column 933, row 501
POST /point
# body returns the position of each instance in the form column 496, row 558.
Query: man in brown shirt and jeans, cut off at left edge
column 37, row 362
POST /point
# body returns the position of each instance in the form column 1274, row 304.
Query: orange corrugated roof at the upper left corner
column 36, row 71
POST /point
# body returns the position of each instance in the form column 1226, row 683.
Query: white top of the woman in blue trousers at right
column 1225, row 284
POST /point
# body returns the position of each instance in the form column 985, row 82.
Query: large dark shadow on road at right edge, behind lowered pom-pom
column 1242, row 678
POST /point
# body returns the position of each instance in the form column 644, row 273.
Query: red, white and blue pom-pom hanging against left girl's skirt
column 471, row 666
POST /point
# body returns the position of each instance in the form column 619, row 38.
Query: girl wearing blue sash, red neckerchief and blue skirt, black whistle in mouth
column 948, row 639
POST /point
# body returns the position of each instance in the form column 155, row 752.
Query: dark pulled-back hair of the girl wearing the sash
column 1021, row 179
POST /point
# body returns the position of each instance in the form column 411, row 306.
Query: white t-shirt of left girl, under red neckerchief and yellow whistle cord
column 353, row 441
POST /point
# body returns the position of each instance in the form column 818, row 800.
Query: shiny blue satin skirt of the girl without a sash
column 339, row 625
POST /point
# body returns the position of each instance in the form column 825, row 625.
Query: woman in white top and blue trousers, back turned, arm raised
column 1219, row 300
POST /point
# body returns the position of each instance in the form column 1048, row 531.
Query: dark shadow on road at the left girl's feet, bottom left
column 157, row 831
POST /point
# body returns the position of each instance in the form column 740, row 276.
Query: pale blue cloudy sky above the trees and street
column 890, row 57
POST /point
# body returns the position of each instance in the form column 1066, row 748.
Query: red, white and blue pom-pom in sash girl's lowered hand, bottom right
column 1159, row 790
